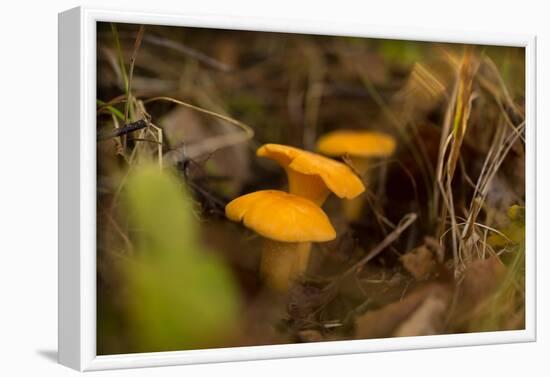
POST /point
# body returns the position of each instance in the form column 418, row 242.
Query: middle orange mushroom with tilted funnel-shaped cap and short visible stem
column 313, row 176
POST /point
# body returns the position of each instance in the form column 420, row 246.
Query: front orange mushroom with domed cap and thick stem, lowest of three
column 289, row 223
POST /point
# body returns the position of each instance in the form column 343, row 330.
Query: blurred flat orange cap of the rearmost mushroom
column 356, row 144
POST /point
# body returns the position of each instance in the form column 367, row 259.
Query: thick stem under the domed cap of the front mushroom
column 283, row 263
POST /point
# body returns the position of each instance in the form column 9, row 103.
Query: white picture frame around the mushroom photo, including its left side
column 77, row 196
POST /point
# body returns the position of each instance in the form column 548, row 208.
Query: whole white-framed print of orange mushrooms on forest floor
column 238, row 189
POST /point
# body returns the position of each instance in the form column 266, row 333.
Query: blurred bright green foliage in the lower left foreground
column 180, row 296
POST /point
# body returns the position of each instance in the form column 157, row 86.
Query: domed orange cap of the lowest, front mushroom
column 281, row 216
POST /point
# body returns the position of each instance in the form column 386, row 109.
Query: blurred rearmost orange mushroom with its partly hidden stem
column 360, row 147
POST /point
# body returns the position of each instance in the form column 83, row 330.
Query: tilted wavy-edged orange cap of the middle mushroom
column 338, row 177
